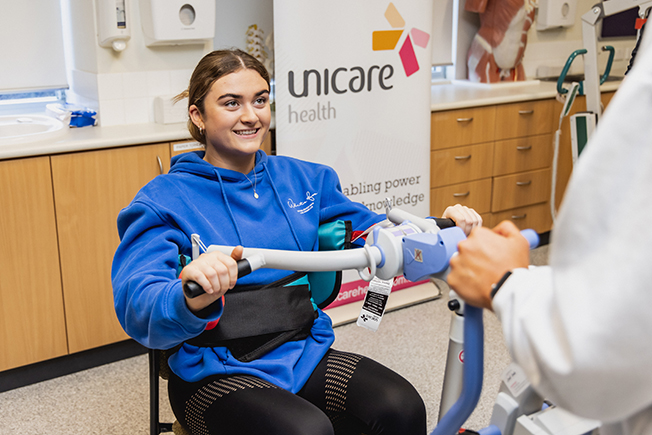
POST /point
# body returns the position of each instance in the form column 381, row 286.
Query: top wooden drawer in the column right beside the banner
column 462, row 127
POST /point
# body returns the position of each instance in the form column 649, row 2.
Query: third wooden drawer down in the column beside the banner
column 474, row 194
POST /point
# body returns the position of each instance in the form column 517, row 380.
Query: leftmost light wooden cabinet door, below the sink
column 32, row 325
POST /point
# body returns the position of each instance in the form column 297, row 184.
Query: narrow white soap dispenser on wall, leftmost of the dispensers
column 112, row 24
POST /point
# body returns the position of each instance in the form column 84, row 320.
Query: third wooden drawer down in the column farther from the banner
column 526, row 188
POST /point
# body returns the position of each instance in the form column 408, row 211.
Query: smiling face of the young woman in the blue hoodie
column 236, row 119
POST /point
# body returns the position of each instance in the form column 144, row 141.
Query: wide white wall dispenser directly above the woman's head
column 175, row 22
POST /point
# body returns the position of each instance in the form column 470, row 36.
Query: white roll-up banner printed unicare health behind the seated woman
column 353, row 92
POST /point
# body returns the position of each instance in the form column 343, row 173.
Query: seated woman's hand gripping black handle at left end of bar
column 215, row 272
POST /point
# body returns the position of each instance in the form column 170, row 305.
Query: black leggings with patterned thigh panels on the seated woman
column 346, row 394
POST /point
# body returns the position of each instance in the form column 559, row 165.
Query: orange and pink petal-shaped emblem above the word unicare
column 388, row 39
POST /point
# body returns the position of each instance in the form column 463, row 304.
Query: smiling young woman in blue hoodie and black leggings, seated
column 235, row 370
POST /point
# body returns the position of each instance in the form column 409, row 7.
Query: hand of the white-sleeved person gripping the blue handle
column 483, row 258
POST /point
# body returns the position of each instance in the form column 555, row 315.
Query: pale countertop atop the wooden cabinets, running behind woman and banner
column 443, row 97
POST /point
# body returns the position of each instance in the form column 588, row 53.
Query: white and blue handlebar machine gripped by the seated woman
column 405, row 244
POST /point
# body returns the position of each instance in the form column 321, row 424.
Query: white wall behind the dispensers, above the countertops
column 122, row 86
